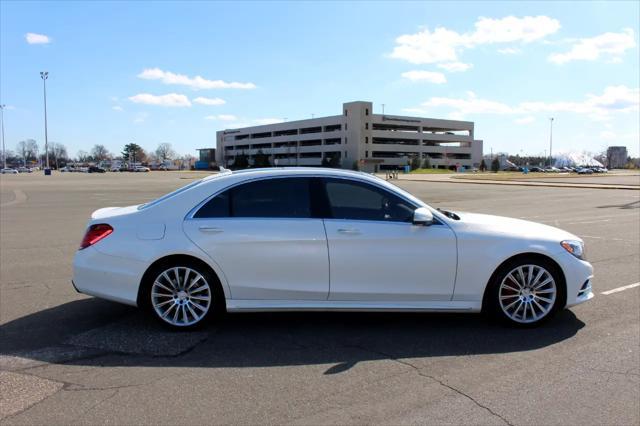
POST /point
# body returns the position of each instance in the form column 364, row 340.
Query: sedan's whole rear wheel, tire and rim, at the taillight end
column 183, row 295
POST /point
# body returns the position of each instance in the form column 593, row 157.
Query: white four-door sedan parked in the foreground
column 308, row 239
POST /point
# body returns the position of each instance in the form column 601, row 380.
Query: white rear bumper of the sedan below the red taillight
column 107, row 277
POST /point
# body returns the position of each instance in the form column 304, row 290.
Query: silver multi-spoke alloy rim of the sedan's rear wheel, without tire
column 181, row 296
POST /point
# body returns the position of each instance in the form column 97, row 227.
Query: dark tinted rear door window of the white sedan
column 277, row 198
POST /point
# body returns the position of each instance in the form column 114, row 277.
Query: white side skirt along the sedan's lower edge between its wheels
column 235, row 305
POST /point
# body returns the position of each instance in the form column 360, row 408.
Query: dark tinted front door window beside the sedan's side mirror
column 360, row 201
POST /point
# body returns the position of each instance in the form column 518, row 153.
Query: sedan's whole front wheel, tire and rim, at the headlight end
column 525, row 292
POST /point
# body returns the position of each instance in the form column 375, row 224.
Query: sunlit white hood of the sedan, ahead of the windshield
column 506, row 226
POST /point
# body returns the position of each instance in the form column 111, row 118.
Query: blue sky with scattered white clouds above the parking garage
column 127, row 71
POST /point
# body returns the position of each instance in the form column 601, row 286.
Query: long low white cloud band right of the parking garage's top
column 614, row 99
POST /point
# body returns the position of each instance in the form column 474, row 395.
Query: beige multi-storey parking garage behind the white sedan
column 356, row 137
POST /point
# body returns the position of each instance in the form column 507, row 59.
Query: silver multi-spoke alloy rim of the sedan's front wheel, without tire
column 527, row 293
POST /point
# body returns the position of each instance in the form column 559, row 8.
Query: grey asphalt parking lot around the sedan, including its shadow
column 70, row 359
